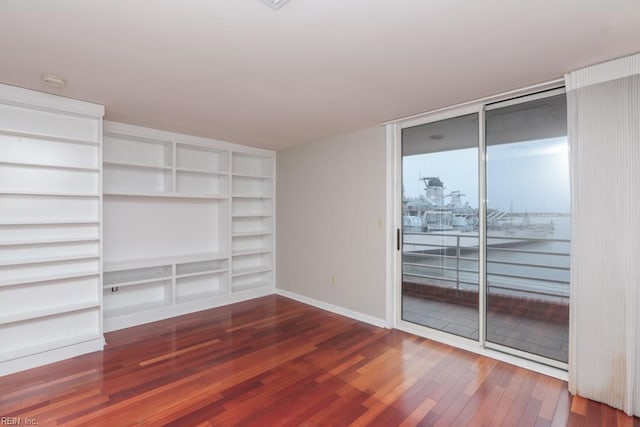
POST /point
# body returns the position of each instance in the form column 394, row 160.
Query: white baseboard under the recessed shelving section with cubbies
column 161, row 313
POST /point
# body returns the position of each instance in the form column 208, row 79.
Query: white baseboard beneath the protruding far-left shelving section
column 50, row 356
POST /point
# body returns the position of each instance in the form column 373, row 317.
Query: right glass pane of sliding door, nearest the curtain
column 528, row 235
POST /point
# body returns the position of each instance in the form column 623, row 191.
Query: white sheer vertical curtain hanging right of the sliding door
column 604, row 139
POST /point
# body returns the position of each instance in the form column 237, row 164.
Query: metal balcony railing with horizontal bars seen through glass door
column 515, row 265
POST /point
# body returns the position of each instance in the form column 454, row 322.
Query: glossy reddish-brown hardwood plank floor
column 273, row 361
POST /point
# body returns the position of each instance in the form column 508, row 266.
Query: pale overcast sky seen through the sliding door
column 531, row 176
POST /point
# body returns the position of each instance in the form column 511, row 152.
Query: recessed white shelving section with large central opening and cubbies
column 188, row 224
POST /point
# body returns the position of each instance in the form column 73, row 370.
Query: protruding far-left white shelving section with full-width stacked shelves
column 50, row 228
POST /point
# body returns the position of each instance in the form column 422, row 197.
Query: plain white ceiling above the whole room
column 240, row 71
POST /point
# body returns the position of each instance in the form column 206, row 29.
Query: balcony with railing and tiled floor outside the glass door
column 527, row 289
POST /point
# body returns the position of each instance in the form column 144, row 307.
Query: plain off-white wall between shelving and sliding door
column 330, row 221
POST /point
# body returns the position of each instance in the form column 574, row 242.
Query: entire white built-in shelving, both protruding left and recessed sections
column 107, row 225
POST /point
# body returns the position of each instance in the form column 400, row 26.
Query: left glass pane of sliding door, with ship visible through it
column 440, row 225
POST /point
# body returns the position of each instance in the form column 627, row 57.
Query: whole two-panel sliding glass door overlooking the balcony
column 485, row 226
